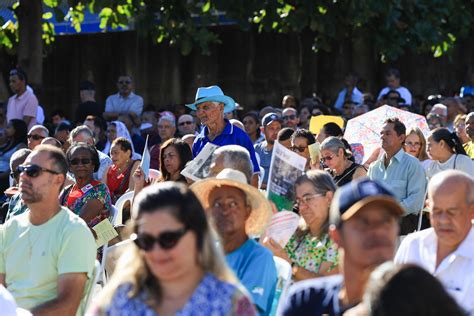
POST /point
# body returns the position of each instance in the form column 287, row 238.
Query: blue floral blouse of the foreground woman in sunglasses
column 211, row 297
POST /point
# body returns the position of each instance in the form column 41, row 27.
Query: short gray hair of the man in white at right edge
column 452, row 178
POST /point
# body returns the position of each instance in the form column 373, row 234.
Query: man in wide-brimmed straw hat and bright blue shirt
column 238, row 211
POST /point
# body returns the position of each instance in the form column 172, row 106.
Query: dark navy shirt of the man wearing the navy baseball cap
column 314, row 297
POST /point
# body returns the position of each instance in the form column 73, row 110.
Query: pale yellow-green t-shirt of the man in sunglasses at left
column 33, row 256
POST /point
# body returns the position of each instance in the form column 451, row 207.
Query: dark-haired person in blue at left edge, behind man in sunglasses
column 16, row 132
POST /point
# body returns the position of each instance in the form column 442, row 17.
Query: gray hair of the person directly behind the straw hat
column 235, row 157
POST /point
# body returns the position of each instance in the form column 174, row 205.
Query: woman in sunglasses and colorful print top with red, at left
column 88, row 198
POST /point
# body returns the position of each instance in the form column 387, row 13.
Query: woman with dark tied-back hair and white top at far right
column 447, row 152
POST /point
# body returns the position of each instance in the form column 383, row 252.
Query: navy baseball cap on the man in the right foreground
column 352, row 197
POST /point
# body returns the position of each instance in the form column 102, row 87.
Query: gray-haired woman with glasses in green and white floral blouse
column 310, row 251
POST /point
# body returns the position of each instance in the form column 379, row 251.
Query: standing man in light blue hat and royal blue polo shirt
column 210, row 106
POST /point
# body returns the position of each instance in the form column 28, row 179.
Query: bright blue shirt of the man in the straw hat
column 254, row 266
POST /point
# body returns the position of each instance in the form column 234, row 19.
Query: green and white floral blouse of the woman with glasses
column 309, row 252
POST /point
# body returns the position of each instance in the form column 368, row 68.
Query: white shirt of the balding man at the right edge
column 456, row 271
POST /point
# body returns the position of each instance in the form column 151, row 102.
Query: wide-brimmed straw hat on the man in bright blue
column 261, row 210
